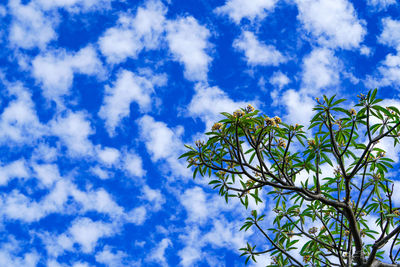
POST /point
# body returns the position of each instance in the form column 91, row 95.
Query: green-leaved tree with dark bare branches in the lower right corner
column 346, row 217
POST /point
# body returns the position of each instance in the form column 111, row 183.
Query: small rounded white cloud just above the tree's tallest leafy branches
column 320, row 71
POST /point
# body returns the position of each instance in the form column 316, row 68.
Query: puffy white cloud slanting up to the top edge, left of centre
column 133, row 34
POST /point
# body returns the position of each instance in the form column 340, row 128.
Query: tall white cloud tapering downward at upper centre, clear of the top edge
column 188, row 42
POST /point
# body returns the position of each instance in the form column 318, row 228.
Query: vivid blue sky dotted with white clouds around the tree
column 99, row 96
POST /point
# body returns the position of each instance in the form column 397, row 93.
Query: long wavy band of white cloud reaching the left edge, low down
column 17, row 206
